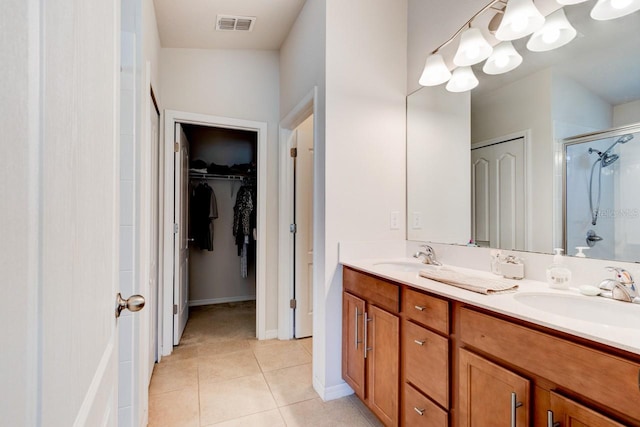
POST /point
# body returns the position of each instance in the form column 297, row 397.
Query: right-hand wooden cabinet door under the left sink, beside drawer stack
column 383, row 359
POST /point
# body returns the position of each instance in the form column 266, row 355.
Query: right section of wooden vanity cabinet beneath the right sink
column 599, row 383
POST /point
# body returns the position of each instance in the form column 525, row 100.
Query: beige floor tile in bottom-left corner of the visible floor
column 175, row 409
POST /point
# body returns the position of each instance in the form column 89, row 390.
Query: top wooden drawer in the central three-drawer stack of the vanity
column 430, row 311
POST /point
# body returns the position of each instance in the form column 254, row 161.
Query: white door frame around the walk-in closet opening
column 171, row 117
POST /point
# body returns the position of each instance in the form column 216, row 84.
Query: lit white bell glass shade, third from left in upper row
column 521, row 18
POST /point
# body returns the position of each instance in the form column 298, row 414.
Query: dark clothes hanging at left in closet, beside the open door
column 203, row 210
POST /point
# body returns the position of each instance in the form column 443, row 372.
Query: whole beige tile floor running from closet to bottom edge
column 221, row 375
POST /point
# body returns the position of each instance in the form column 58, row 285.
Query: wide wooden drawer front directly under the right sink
column 609, row 380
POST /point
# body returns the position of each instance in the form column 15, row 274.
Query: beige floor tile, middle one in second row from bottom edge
column 227, row 366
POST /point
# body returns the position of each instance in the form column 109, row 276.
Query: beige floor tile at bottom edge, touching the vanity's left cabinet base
column 316, row 413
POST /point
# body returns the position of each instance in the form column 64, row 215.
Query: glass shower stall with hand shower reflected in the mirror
column 601, row 194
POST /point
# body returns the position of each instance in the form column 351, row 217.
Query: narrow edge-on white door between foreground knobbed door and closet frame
column 154, row 226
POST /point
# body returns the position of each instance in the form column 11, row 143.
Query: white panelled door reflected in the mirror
column 498, row 214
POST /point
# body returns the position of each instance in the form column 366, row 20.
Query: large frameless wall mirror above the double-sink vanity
column 521, row 161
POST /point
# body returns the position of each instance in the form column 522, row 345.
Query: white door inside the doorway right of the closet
column 303, row 215
